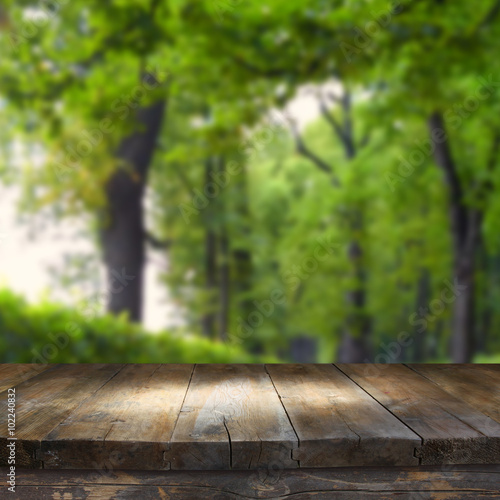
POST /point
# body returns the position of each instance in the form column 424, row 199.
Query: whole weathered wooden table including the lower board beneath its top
column 253, row 431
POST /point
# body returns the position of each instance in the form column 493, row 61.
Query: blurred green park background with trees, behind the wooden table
column 243, row 180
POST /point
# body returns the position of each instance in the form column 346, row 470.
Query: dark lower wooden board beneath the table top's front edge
column 460, row 482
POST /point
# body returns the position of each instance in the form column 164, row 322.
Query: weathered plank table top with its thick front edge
column 221, row 417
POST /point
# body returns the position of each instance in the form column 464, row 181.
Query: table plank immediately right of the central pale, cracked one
column 337, row 423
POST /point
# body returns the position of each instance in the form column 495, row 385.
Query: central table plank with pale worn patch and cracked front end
column 232, row 418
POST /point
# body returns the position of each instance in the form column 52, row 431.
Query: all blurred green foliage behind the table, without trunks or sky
column 223, row 65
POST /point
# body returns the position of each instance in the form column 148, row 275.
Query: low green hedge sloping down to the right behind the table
column 53, row 333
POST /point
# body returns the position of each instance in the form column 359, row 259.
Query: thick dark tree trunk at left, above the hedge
column 122, row 231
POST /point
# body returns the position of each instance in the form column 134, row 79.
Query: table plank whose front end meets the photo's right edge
column 453, row 432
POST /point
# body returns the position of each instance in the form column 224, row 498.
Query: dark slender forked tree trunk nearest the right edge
column 465, row 230
